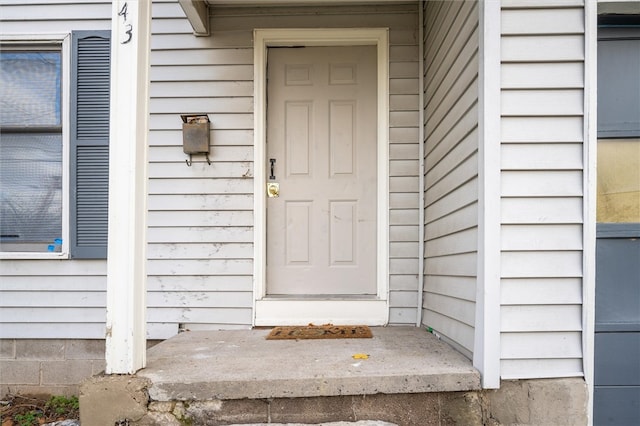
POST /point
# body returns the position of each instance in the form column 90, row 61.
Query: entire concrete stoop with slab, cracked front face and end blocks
column 407, row 378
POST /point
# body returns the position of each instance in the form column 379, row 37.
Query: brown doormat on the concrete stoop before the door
column 327, row 331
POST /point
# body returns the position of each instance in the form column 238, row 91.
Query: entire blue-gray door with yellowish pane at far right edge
column 617, row 338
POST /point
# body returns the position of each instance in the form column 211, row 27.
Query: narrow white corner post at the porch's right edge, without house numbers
column 486, row 350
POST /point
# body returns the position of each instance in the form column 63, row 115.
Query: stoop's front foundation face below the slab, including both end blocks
column 123, row 400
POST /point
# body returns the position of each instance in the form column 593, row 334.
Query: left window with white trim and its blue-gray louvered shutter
column 54, row 146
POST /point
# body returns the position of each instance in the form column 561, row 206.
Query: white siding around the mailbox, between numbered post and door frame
column 200, row 217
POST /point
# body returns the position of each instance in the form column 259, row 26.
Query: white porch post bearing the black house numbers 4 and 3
column 126, row 259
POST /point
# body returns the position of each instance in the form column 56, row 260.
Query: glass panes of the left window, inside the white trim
column 30, row 151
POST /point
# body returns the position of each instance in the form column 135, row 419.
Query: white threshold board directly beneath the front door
column 273, row 312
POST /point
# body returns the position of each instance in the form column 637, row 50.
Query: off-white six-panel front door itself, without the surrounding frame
column 321, row 151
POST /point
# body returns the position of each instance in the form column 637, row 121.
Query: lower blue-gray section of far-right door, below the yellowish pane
column 617, row 337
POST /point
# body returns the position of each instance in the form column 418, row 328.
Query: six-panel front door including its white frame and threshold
column 321, row 114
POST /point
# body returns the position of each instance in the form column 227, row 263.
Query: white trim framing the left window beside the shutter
column 62, row 40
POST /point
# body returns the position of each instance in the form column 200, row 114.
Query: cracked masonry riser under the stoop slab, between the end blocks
column 399, row 409
